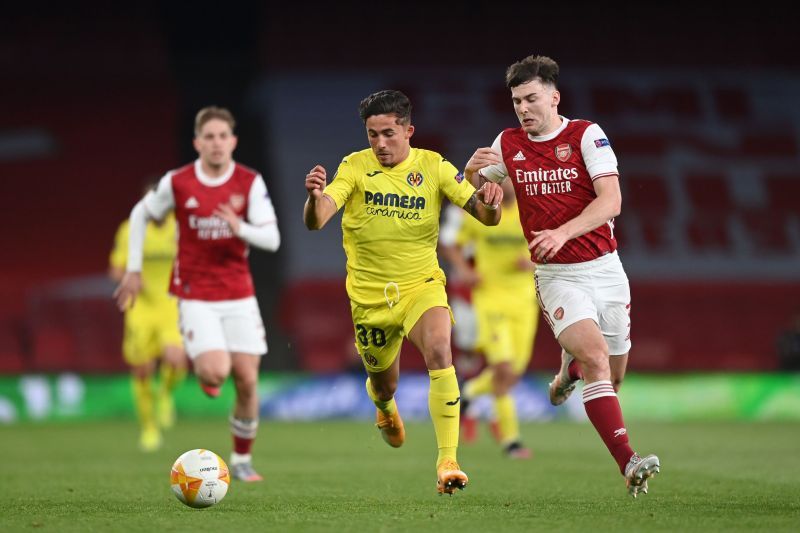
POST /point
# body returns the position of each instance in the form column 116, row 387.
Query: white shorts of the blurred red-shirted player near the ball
column 230, row 325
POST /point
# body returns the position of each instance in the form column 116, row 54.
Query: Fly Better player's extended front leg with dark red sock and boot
column 586, row 343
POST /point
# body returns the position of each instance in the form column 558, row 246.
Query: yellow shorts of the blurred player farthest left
column 148, row 330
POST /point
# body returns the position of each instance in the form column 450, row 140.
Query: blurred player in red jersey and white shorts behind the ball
column 221, row 208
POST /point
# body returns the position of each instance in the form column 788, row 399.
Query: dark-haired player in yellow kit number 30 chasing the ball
column 392, row 194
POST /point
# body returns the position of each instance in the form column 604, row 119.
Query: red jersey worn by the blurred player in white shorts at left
column 211, row 264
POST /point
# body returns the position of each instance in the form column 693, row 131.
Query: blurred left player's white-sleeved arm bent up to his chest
column 261, row 228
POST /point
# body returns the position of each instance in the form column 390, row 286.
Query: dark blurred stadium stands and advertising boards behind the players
column 700, row 106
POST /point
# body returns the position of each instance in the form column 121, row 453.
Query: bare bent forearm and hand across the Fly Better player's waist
column 607, row 205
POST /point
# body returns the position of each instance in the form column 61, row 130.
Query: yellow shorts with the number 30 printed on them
column 380, row 329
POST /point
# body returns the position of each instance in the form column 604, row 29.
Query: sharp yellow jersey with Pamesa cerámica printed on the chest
column 390, row 224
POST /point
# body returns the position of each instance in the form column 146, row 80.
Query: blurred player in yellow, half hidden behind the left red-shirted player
column 151, row 329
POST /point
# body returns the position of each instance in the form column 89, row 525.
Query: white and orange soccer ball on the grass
column 200, row 478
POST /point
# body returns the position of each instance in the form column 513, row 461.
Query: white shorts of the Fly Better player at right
column 596, row 289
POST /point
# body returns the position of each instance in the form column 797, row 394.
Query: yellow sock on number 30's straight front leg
column 443, row 402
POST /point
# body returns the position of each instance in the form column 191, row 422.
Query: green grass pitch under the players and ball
column 340, row 476
